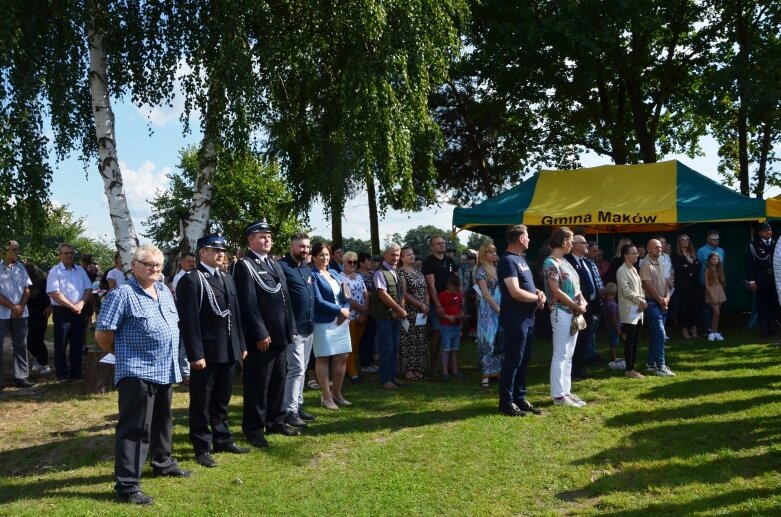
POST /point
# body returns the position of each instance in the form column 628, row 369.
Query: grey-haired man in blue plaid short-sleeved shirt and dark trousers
column 138, row 322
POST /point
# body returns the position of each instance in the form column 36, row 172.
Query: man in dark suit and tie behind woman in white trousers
column 592, row 289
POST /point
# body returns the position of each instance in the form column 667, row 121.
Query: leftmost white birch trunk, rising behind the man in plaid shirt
column 108, row 165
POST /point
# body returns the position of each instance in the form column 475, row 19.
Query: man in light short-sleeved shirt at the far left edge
column 14, row 292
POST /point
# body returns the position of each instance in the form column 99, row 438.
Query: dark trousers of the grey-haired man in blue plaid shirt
column 144, row 423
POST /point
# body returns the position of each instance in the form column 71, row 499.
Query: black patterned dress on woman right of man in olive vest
column 413, row 346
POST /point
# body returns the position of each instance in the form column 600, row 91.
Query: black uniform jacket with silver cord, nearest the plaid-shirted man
column 205, row 334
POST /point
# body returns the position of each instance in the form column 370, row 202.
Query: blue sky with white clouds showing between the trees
column 145, row 159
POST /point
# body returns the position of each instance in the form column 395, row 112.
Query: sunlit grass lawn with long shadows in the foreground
column 707, row 442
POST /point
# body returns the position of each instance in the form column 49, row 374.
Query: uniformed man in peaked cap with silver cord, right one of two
column 269, row 329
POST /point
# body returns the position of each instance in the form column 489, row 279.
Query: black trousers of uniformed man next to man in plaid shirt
column 210, row 394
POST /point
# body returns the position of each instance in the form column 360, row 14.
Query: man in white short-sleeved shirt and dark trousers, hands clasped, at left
column 69, row 289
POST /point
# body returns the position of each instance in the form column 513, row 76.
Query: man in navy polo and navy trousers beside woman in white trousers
column 520, row 300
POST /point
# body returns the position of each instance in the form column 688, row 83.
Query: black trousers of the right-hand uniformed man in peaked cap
column 264, row 389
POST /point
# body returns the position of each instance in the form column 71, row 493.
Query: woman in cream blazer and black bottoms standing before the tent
column 631, row 304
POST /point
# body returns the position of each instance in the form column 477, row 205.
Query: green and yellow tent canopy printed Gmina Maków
column 618, row 198
